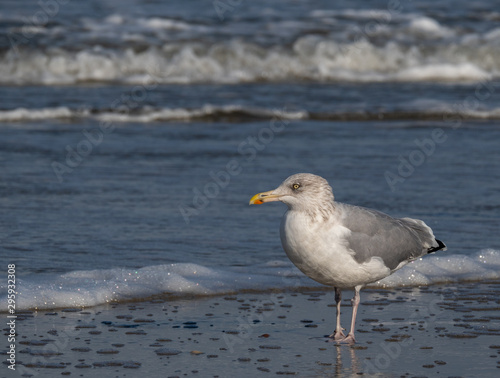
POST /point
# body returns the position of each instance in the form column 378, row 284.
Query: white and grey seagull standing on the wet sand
column 342, row 245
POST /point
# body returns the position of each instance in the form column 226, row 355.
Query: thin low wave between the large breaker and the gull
column 233, row 113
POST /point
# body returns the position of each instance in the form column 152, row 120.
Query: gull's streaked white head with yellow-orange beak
column 300, row 191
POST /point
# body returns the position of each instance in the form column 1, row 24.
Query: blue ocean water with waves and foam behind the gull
column 133, row 134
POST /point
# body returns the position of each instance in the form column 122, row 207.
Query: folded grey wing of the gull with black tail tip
column 375, row 234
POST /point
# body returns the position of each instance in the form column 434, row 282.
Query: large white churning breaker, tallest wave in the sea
column 311, row 58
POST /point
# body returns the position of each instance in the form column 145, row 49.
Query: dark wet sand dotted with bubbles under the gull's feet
column 444, row 331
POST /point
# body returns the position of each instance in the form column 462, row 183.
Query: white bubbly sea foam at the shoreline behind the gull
column 94, row 287
